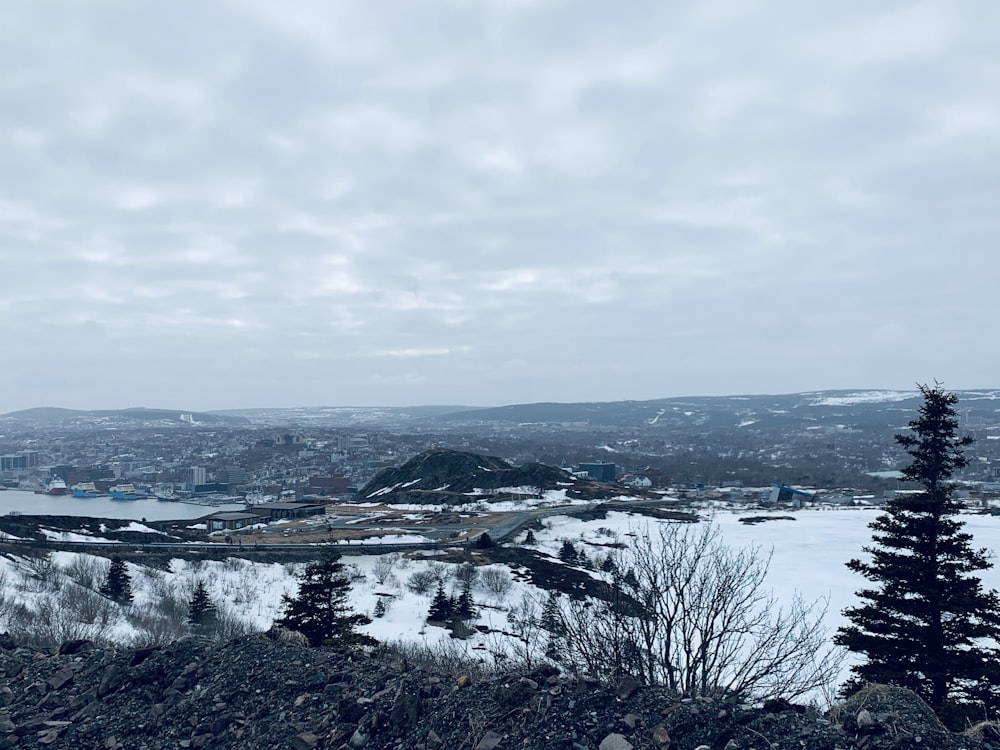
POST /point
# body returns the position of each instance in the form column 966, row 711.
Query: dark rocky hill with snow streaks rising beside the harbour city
column 440, row 475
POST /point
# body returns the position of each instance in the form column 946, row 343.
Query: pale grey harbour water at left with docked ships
column 28, row 503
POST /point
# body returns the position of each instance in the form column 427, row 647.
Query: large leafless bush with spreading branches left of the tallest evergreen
column 693, row 614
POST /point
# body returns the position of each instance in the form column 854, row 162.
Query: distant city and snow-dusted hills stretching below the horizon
column 835, row 444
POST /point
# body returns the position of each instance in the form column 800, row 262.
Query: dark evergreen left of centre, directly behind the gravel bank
column 320, row 610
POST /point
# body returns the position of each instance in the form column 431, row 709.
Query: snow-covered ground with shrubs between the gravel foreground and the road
column 56, row 597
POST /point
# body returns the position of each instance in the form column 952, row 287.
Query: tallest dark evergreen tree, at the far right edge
column 926, row 624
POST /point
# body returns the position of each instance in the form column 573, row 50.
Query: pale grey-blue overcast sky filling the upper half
column 214, row 204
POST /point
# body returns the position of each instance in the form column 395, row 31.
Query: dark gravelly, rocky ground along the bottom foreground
column 260, row 692
